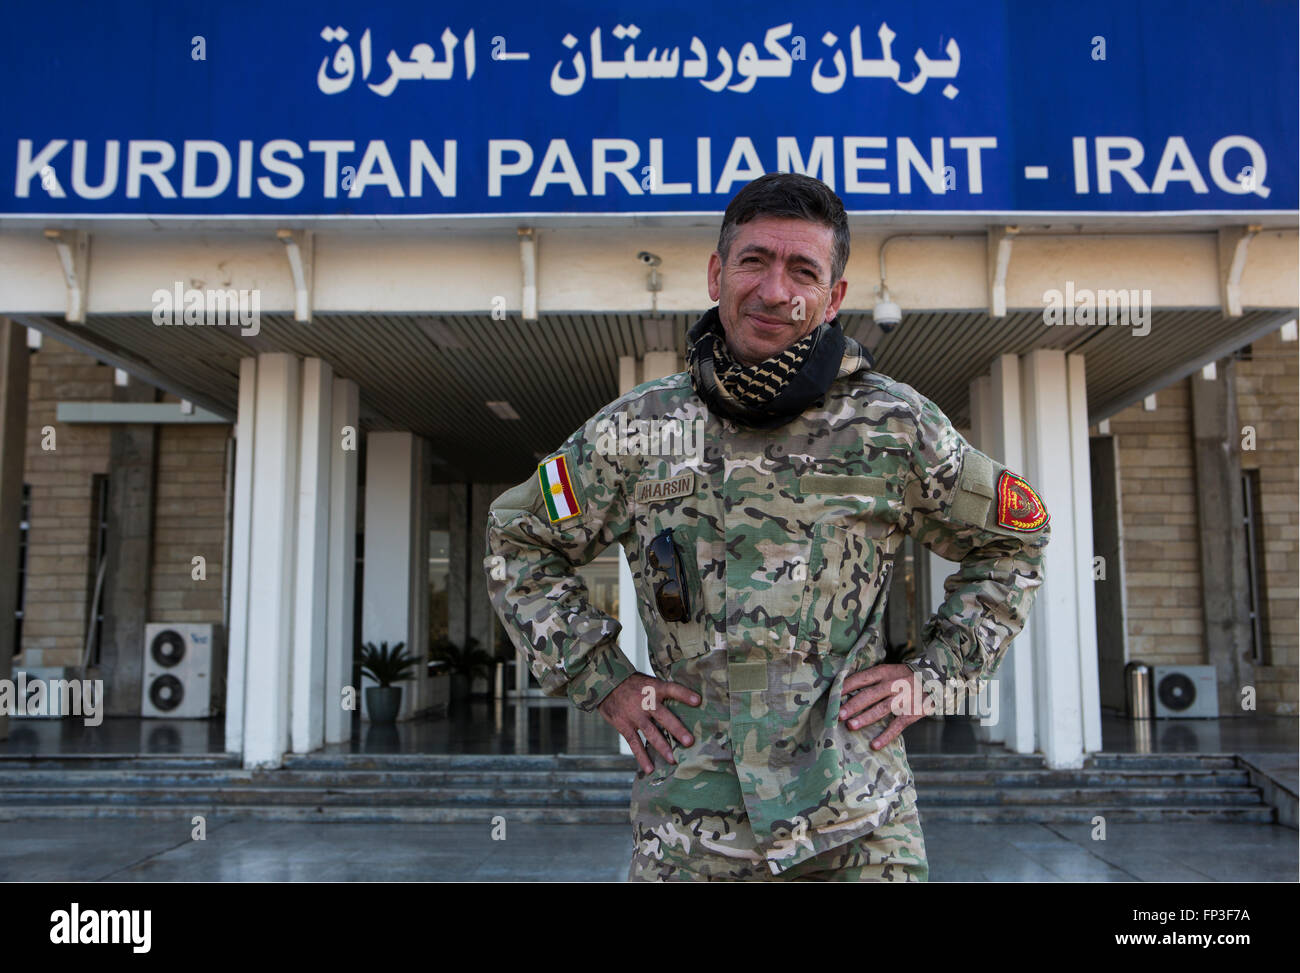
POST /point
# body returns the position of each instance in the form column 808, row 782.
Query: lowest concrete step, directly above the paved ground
column 560, row 815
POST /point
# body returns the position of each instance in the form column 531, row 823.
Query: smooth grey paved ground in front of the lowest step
column 244, row 851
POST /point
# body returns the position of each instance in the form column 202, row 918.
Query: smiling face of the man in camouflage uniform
column 775, row 287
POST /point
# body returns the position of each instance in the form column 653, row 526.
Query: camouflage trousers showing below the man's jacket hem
column 894, row 853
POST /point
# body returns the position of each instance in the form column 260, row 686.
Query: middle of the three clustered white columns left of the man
column 307, row 691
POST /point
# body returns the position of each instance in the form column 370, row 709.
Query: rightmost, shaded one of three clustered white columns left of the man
column 344, row 444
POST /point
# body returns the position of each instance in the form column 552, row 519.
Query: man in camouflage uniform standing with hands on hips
column 781, row 758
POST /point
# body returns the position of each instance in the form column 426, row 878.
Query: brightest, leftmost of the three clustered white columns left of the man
column 271, row 561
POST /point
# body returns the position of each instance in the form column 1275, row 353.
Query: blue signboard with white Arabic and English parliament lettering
column 246, row 109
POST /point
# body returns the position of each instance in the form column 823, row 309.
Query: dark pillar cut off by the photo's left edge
column 14, row 444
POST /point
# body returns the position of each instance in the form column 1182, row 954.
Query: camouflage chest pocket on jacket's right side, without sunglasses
column 847, row 569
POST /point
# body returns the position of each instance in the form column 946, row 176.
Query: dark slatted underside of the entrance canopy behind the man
column 435, row 374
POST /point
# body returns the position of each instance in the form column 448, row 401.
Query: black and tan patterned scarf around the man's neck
column 773, row 392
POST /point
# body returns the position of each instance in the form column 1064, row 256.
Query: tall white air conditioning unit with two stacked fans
column 184, row 671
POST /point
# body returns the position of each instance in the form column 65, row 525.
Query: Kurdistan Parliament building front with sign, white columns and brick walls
column 271, row 379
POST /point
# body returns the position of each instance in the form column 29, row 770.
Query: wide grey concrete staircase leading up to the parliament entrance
column 593, row 789
